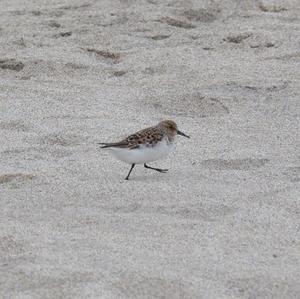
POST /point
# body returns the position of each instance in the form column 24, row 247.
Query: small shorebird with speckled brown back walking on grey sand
column 147, row 145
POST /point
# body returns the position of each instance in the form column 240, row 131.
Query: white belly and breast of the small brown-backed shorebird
column 143, row 154
